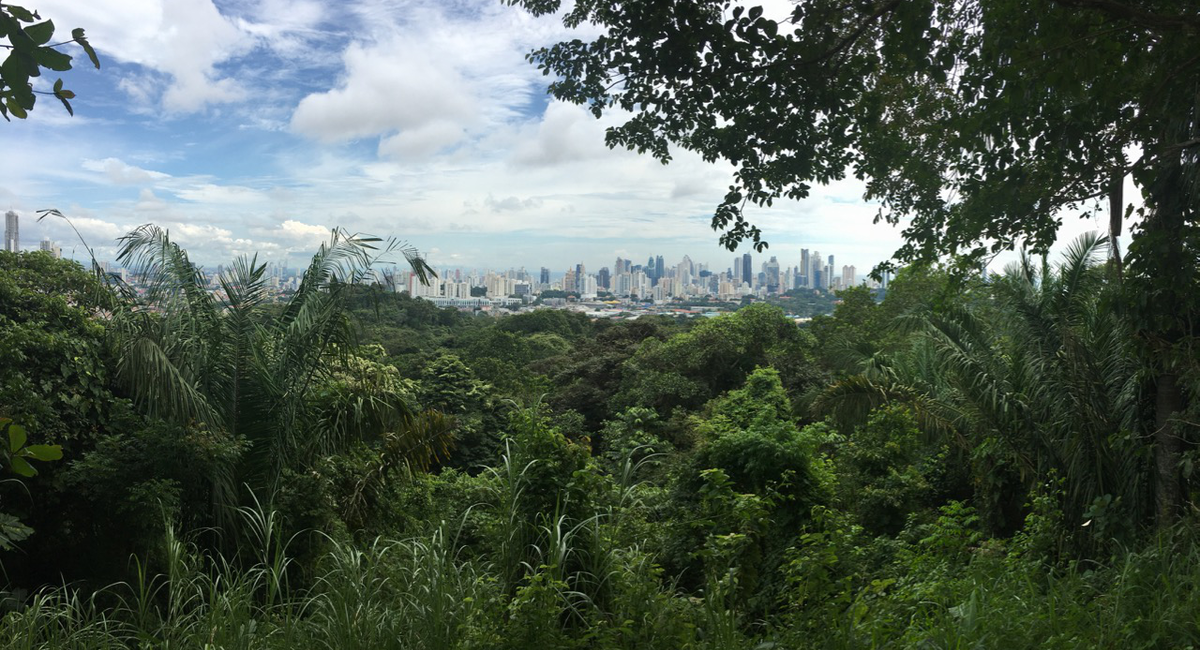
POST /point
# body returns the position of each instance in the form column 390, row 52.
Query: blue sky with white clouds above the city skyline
column 255, row 127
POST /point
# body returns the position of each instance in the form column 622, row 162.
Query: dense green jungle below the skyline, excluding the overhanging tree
column 964, row 464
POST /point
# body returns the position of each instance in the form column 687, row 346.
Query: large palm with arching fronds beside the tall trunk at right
column 1040, row 377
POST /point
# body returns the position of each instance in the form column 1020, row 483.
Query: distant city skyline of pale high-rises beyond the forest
column 626, row 282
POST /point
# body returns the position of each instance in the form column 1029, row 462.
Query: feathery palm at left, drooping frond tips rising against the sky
column 262, row 383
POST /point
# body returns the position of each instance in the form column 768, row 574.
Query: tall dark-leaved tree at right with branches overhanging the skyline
column 976, row 123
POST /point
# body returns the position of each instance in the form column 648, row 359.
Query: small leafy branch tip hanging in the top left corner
column 29, row 52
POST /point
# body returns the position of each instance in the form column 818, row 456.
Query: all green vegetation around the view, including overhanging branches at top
column 975, row 461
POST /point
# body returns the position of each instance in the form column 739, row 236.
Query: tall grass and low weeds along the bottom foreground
column 575, row 587
